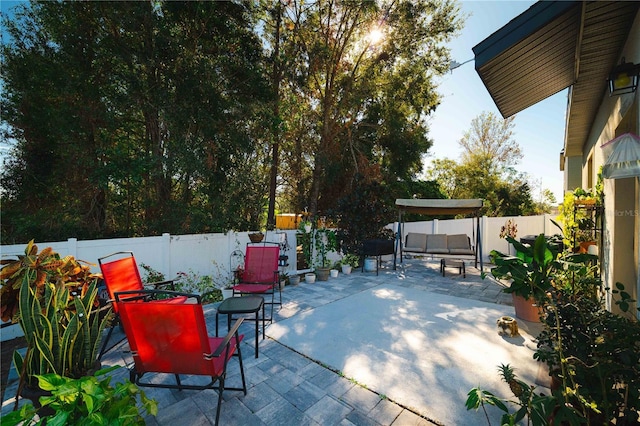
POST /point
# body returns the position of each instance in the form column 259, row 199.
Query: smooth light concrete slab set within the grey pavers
column 420, row 349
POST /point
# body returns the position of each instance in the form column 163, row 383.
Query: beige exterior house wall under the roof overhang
column 617, row 115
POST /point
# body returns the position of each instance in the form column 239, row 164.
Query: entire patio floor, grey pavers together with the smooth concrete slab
column 403, row 347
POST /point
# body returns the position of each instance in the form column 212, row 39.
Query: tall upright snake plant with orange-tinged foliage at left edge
column 55, row 301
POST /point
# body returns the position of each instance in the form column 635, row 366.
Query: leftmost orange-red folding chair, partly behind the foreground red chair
column 122, row 274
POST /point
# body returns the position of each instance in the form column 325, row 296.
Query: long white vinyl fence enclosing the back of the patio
column 210, row 254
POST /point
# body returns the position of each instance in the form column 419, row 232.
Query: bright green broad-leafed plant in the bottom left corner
column 87, row 400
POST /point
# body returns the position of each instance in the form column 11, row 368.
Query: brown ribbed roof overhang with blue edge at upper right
column 551, row 46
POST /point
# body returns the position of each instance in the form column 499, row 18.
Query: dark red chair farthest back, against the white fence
column 260, row 273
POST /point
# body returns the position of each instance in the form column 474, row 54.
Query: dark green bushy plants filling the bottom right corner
column 592, row 355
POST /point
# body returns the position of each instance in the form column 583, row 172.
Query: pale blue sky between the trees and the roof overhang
column 539, row 130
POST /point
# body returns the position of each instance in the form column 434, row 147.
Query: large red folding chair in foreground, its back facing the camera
column 169, row 338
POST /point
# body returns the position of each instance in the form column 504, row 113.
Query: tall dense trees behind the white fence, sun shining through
column 137, row 118
